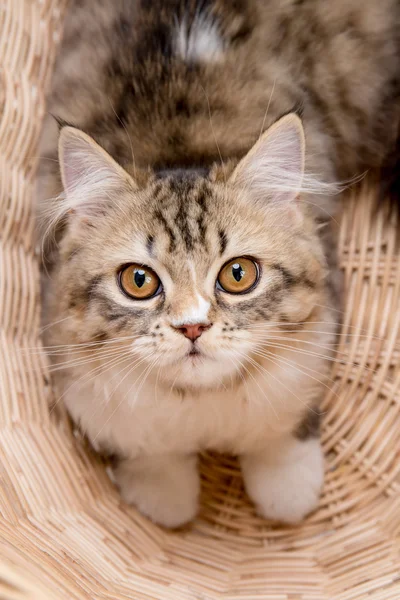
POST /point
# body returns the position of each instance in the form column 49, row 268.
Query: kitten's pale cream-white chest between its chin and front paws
column 149, row 419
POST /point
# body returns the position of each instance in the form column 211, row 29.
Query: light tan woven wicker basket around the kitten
column 64, row 533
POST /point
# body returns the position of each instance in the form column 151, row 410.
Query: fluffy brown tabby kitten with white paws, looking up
column 191, row 299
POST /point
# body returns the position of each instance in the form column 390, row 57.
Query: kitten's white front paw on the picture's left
column 164, row 489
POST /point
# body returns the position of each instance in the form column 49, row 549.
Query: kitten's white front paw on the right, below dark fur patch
column 285, row 485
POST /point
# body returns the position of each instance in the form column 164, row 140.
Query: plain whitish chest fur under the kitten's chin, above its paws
column 125, row 415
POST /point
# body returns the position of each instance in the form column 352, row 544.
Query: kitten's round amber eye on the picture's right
column 238, row 276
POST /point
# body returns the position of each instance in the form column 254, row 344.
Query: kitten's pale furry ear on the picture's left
column 91, row 178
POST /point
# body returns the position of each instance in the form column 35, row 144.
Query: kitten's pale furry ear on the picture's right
column 273, row 169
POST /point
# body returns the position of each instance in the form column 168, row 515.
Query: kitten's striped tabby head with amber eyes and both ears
column 190, row 273
